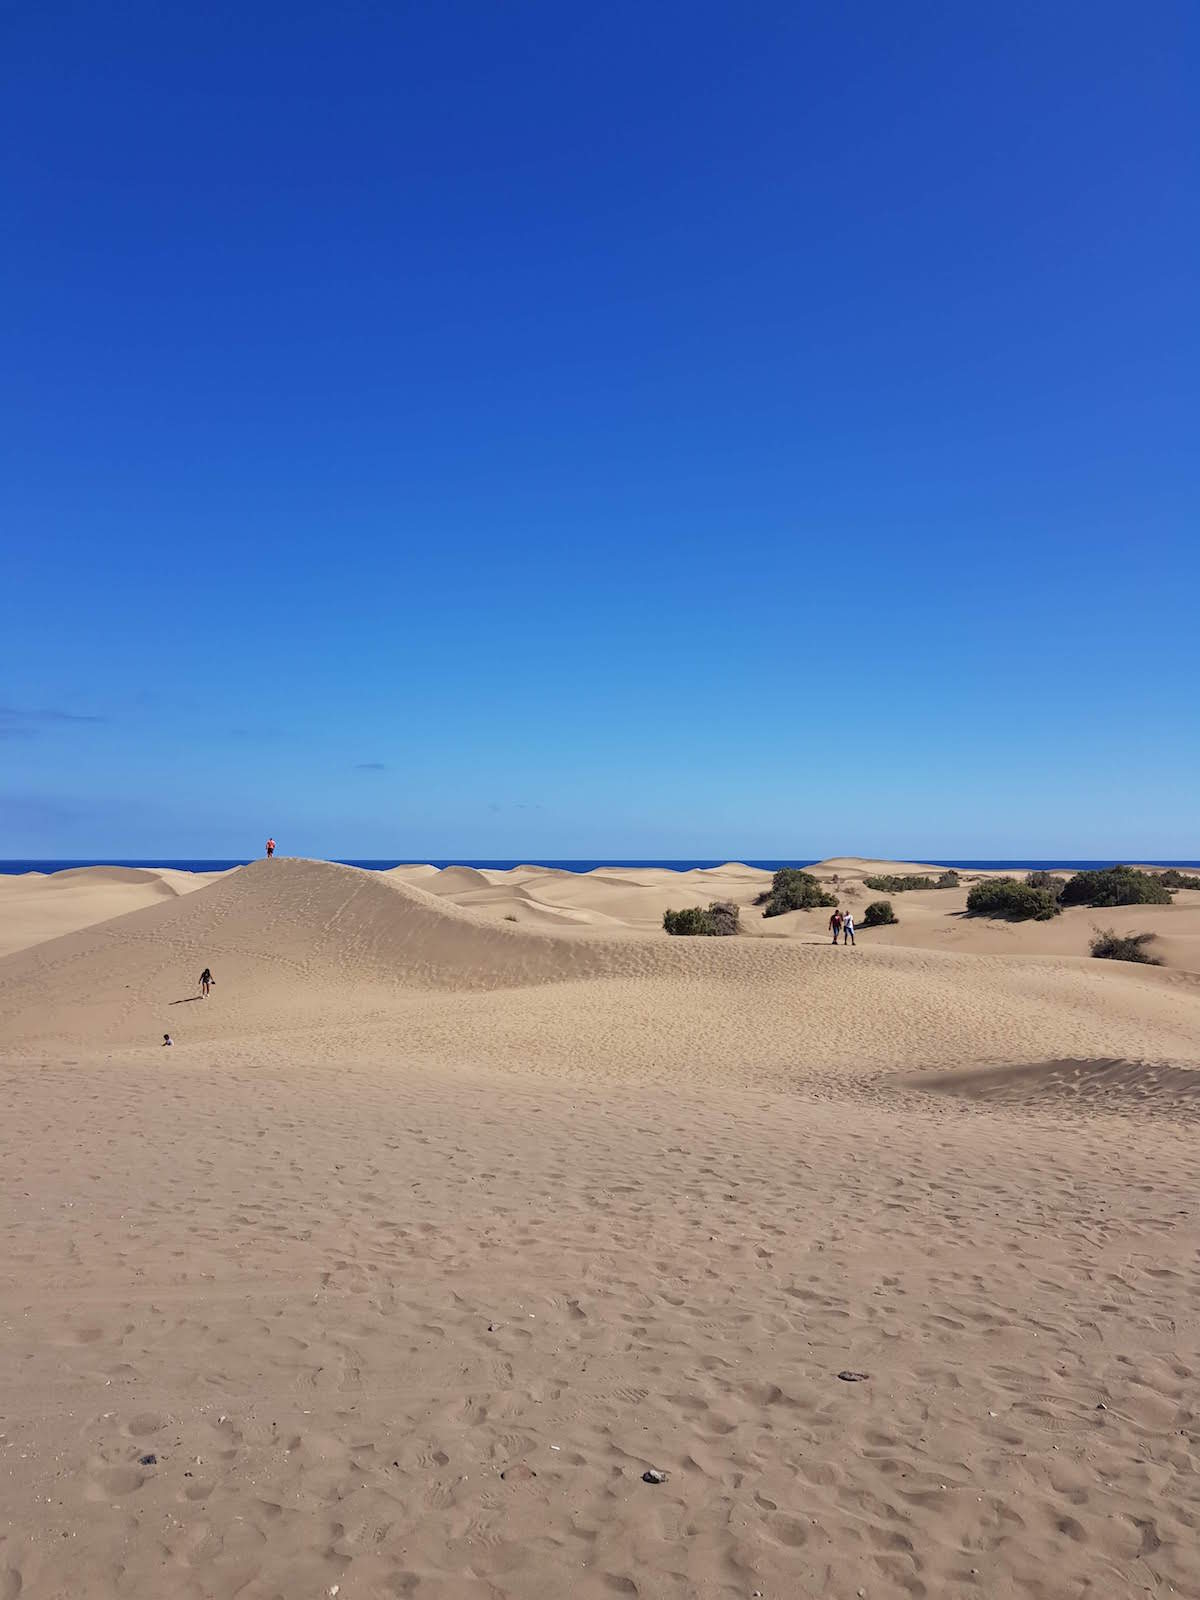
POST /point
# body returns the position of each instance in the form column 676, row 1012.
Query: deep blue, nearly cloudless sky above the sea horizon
column 535, row 430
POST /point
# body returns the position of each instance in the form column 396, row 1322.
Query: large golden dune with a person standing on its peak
column 322, row 945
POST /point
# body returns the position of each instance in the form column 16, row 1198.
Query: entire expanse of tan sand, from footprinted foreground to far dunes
column 470, row 1199
